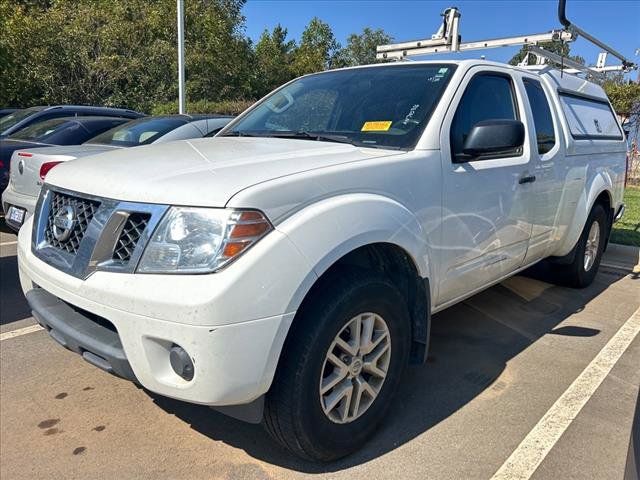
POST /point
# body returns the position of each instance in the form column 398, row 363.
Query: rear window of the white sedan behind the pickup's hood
column 138, row 132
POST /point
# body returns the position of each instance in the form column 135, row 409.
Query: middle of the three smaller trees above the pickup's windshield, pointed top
column 317, row 50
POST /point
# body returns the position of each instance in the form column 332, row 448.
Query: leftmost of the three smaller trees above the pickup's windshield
column 274, row 55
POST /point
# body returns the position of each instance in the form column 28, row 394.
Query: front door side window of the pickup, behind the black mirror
column 487, row 97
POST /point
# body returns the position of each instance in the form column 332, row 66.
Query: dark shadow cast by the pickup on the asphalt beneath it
column 471, row 344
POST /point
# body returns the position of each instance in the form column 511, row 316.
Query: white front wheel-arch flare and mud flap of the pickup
column 358, row 220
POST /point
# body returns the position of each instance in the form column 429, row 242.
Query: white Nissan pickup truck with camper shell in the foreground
column 286, row 270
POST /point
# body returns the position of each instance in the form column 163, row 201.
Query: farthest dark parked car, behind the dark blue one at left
column 16, row 121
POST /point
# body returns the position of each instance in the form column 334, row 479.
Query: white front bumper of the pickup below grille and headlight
column 235, row 353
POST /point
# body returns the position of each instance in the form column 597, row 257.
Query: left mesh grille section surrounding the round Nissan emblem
column 84, row 211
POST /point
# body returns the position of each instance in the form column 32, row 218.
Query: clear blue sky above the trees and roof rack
column 615, row 22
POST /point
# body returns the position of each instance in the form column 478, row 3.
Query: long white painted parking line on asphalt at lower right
column 526, row 458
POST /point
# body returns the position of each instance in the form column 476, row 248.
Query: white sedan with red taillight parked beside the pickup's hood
column 26, row 181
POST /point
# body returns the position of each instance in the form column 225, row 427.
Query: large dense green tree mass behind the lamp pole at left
column 119, row 53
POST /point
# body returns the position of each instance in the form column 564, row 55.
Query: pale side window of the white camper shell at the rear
column 589, row 119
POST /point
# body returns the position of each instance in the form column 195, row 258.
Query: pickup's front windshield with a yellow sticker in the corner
column 383, row 107
